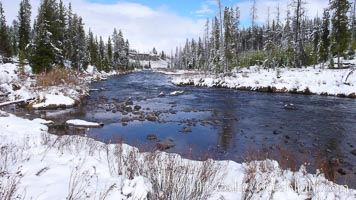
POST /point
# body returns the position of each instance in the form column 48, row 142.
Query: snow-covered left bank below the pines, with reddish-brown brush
column 14, row 86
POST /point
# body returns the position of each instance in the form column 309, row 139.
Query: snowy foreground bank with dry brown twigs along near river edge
column 38, row 165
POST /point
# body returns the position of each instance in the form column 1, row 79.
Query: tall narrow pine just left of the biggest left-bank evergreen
column 24, row 19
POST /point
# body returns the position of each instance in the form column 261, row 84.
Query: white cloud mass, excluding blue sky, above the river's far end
column 143, row 26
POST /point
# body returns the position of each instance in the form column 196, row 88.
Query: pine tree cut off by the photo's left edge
column 5, row 46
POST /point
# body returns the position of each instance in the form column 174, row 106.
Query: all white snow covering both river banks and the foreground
column 45, row 166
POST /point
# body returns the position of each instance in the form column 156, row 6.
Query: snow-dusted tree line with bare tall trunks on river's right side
column 295, row 41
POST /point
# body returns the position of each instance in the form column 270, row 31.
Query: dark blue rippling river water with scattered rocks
column 220, row 123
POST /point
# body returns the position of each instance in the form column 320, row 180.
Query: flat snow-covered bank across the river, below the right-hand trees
column 335, row 82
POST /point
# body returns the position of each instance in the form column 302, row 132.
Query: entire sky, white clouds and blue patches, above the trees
column 163, row 24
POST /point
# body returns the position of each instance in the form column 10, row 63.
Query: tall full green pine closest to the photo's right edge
column 340, row 34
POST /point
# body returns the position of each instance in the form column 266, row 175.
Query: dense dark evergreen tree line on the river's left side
column 57, row 38
